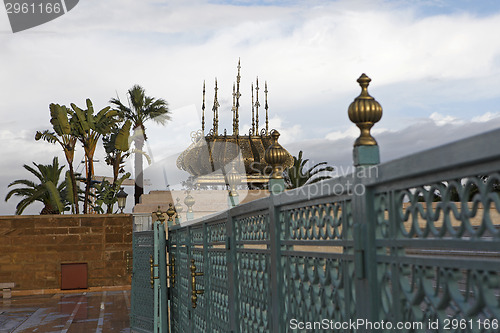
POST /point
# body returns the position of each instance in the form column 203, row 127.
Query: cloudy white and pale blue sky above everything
column 434, row 66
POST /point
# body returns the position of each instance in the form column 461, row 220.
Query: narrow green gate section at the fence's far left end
column 149, row 287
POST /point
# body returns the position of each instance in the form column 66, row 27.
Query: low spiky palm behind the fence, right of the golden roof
column 295, row 176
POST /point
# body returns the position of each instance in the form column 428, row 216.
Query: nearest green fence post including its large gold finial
column 365, row 111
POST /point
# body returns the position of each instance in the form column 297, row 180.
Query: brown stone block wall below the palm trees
column 32, row 249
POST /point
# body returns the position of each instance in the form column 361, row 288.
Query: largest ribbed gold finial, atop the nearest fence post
column 365, row 111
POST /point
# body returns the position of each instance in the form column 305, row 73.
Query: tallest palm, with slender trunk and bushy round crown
column 141, row 109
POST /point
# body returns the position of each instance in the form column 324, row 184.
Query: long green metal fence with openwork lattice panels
column 387, row 249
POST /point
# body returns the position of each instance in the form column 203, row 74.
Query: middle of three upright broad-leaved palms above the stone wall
column 88, row 128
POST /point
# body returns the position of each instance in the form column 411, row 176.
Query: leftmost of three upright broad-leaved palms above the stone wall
column 64, row 136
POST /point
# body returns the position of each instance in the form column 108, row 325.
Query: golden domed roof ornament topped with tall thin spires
column 205, row 159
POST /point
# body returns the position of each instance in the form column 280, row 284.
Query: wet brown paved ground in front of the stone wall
column 106, row 311
